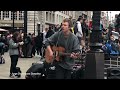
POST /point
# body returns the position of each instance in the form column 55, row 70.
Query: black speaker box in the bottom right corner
column 113, row 73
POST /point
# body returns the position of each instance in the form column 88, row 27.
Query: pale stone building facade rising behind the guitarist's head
column 43, row 19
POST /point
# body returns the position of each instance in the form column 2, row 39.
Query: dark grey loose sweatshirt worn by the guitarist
column 70, row 43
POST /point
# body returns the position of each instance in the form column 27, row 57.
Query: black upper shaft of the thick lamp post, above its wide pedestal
column 96, row 39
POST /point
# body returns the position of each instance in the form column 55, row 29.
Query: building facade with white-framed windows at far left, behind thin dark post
column 6, row 20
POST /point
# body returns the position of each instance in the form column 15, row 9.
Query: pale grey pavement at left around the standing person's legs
column 23, row 63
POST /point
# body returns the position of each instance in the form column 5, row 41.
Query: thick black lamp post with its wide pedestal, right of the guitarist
column 94, row 66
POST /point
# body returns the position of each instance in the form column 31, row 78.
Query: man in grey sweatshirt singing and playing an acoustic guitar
column 70, row 43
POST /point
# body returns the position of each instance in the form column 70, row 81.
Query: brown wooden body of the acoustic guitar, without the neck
column 56, row 51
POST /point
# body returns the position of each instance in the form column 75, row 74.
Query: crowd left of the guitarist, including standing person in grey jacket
column 20, row 46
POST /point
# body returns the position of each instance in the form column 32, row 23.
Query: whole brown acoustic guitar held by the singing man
column 58, row 54
